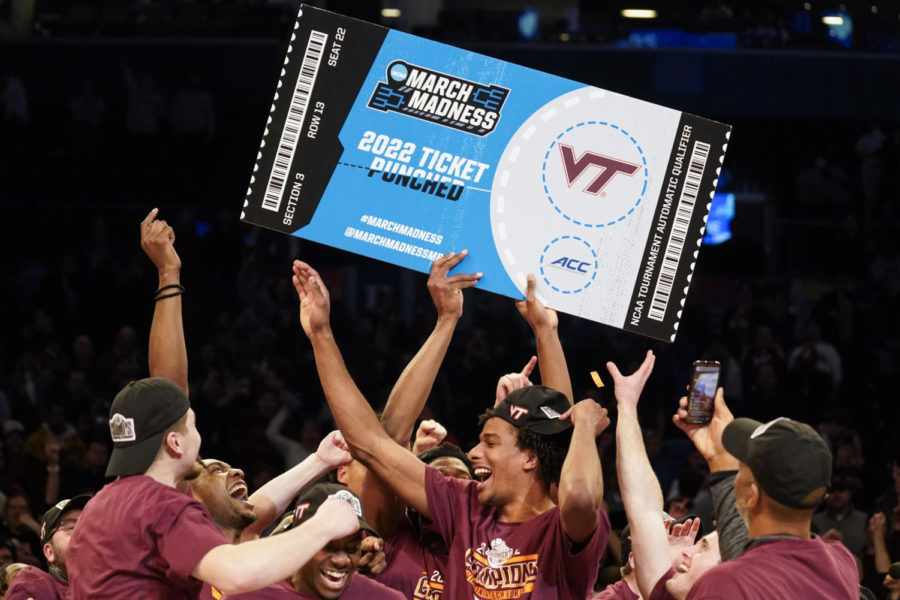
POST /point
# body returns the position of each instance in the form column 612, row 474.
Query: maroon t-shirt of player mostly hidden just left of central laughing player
column 413, row 568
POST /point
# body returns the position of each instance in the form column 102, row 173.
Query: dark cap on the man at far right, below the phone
column 789, row 459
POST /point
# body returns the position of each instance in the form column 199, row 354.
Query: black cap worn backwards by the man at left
column 140, row 415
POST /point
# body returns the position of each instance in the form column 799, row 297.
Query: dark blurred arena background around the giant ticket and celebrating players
column 111, row 108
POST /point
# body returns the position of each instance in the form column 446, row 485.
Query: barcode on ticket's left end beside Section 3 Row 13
column 294, row 122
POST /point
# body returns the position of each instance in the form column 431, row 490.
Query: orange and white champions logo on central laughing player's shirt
column 499, row 572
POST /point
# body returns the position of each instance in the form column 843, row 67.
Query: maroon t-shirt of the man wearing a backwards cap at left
column 138, row 538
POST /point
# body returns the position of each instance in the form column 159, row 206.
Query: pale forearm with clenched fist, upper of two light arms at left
column 270, row 501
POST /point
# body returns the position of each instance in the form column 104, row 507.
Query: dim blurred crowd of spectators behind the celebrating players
column 75, row 331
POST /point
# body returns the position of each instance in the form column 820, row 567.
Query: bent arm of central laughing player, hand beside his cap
column 581, row 478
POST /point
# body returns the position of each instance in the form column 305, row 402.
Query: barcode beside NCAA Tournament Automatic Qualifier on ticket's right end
column 680, row 225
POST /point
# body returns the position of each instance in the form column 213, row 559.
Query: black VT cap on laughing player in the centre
column 536, row 408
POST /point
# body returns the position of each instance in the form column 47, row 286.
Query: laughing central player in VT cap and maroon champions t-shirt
column 507, row 536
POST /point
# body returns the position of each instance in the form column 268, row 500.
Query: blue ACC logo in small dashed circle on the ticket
column 568, row 264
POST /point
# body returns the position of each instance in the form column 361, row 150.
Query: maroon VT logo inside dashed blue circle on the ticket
column 595, row 174
